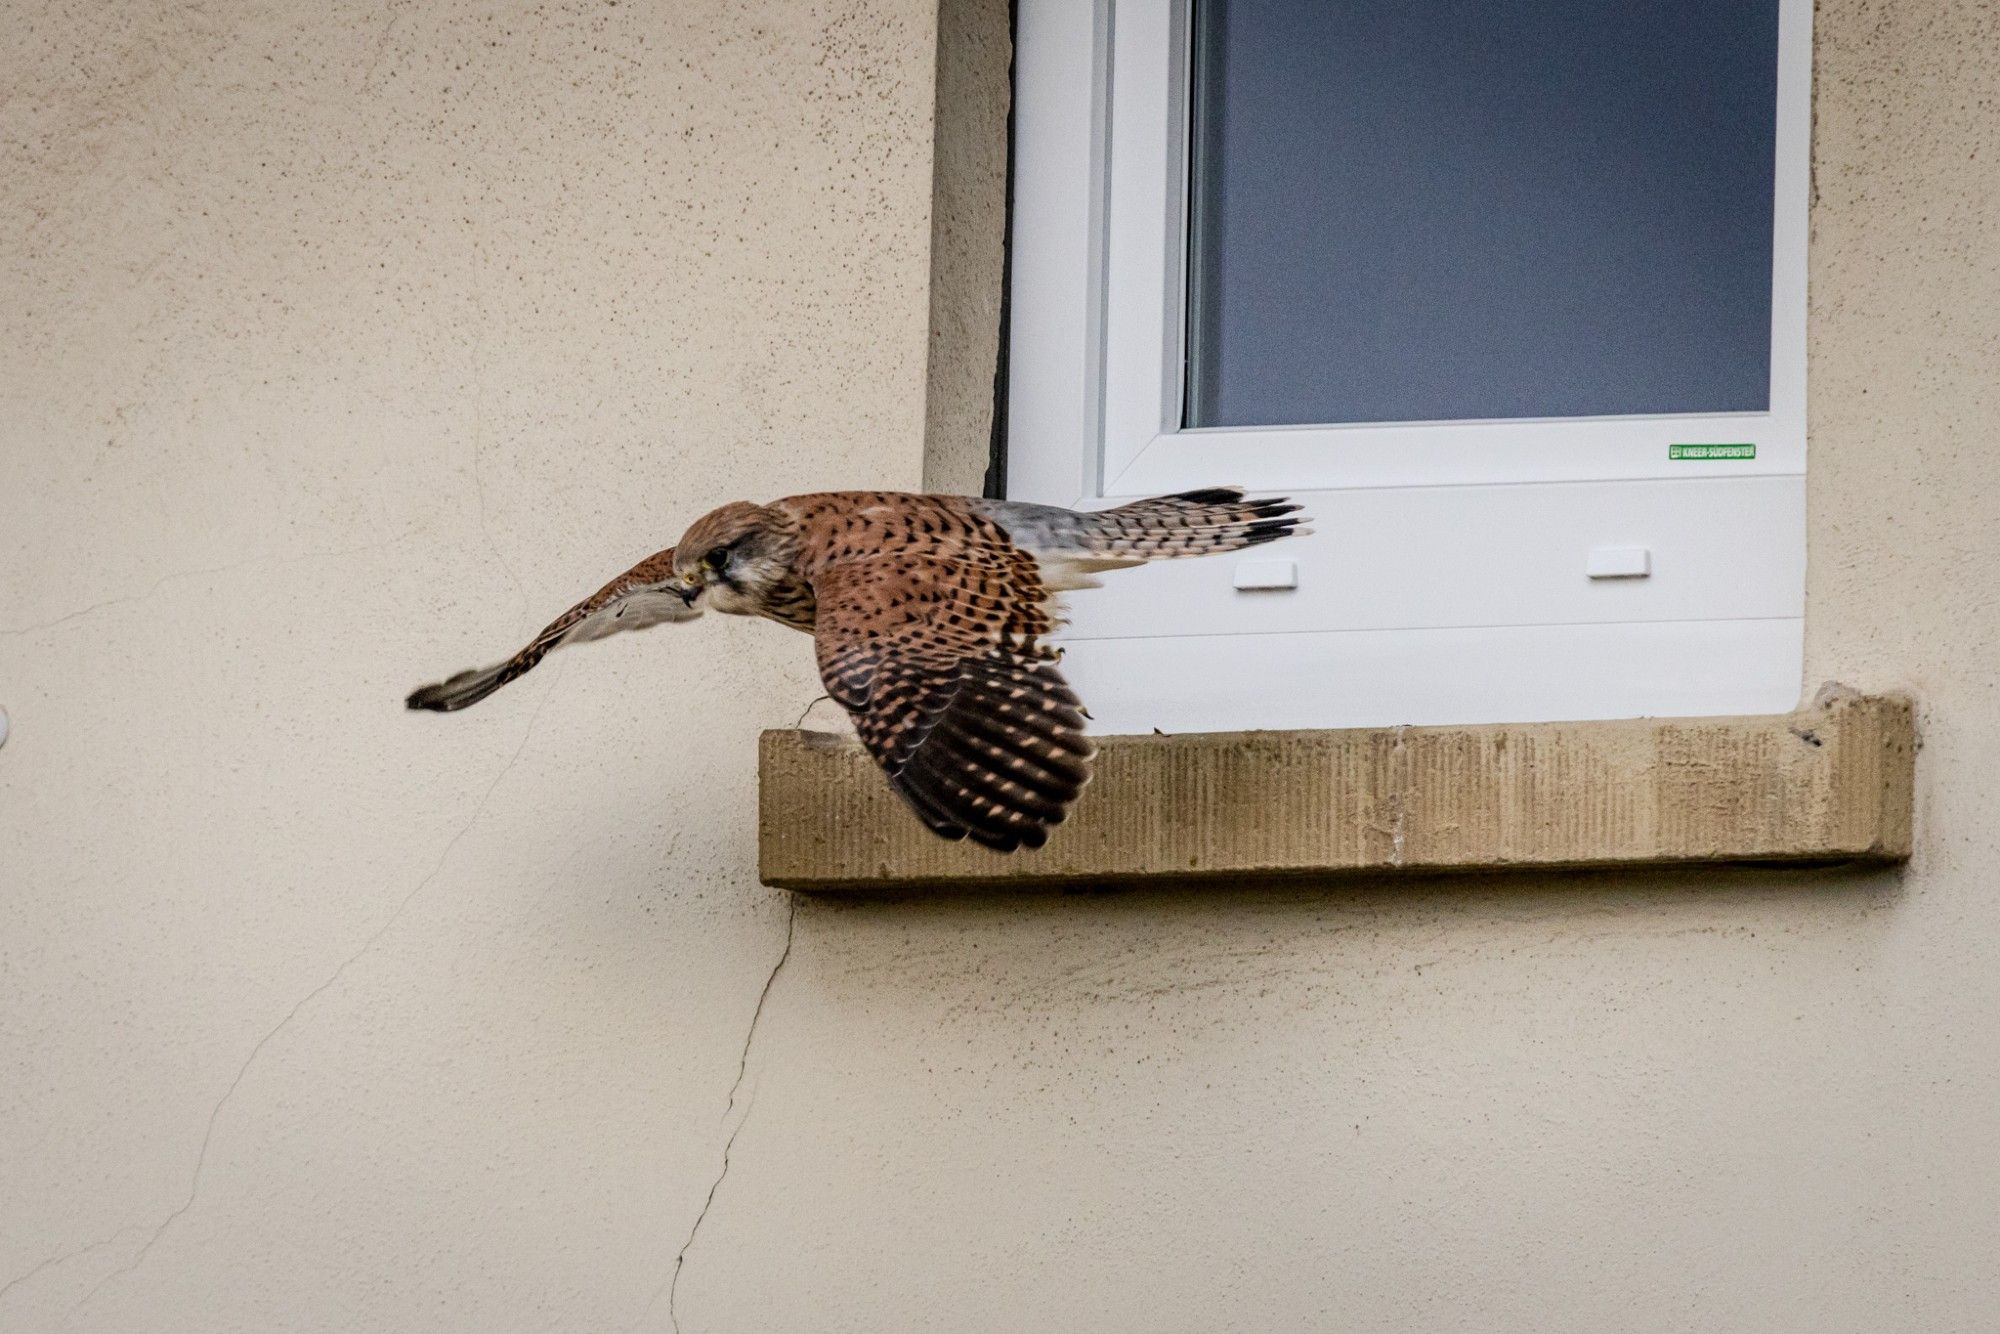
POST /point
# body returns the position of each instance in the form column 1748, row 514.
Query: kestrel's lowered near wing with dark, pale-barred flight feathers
column 939, row 661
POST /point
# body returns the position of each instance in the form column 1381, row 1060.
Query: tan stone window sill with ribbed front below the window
column 1831, row 783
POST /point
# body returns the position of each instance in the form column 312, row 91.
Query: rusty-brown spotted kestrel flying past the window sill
column 927, row 615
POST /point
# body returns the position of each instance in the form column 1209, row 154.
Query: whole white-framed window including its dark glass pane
column 1509, row 295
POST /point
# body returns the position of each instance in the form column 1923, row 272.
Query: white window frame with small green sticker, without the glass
column 1423, row 511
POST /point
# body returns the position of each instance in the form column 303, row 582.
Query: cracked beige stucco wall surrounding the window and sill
column 341, row 343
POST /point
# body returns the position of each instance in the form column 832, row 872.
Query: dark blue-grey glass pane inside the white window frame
column 1481, row 209
